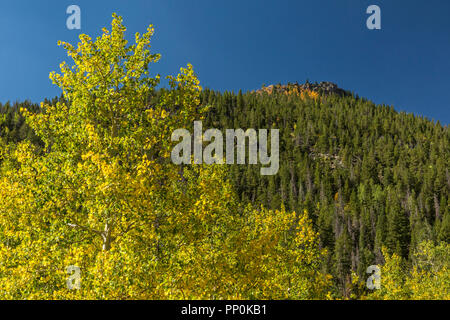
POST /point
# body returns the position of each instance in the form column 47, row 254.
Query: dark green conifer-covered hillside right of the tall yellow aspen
column 369, row 176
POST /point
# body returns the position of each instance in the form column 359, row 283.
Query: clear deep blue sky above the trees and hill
column 243, row 44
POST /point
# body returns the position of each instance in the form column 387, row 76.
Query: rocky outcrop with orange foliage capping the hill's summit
column 323, row 88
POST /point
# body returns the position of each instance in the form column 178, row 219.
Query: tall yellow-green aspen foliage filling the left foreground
column 104, row 196
